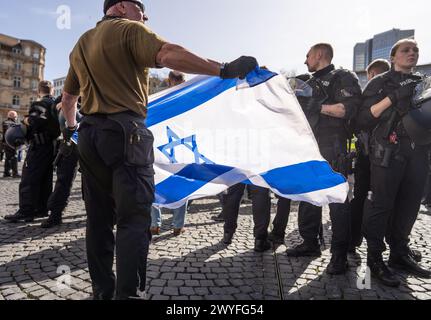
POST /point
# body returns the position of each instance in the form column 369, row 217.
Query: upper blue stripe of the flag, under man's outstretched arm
column 190, row 97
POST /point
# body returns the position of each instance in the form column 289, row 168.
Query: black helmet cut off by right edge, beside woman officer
column 418, row 121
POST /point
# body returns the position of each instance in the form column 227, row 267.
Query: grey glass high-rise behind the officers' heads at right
column 379, row 47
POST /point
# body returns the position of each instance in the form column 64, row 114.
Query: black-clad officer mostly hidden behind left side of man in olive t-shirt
column 66, row 163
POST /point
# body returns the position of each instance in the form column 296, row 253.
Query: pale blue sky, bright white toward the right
column 277, row 32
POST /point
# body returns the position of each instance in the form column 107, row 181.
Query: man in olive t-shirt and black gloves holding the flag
column 109, row 69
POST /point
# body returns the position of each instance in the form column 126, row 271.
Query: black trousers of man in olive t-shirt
column 115, row 191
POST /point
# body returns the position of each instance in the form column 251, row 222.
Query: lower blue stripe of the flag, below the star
column 292, row 180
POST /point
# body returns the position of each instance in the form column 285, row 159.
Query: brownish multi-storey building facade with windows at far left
column 22, row 65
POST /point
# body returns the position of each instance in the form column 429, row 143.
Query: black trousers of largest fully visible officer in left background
column 36, row 182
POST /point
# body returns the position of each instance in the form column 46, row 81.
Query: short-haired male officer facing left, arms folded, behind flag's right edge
column 341, row 93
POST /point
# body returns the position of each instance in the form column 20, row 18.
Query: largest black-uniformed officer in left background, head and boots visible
column 37, row 175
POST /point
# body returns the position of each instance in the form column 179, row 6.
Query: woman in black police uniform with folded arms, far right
column 399, row 166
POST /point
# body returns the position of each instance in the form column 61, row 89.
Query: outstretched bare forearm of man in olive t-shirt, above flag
column 178, row 58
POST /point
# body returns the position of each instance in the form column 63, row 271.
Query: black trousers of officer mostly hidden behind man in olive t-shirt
column 66, row 173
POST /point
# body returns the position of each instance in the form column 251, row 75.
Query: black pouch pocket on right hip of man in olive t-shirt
column 139, row 147
